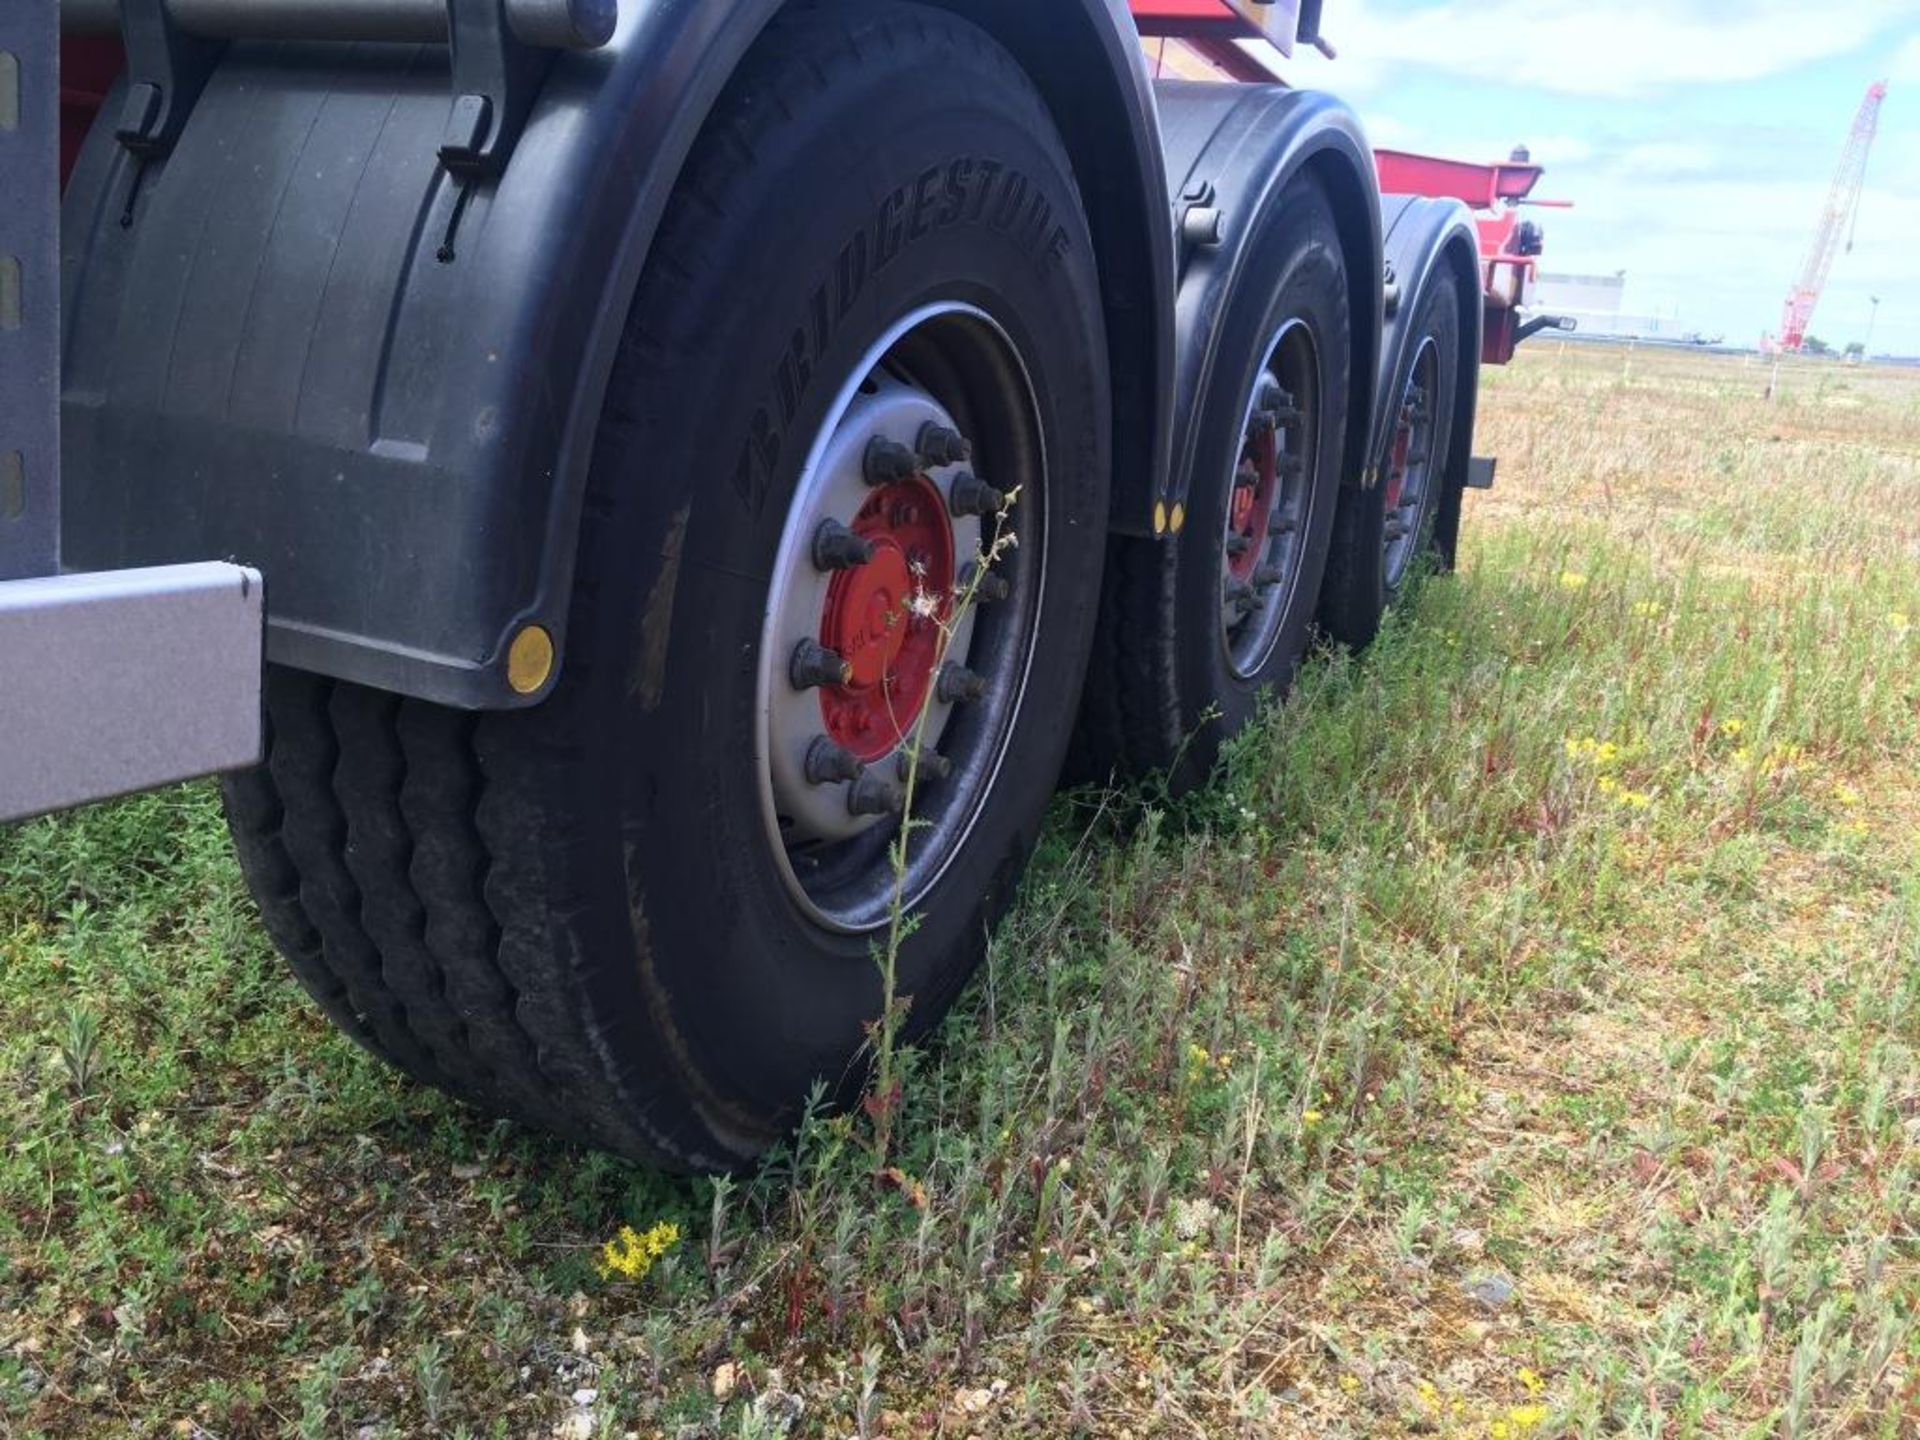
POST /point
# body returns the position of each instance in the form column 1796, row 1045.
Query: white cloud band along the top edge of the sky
column 1577, row 47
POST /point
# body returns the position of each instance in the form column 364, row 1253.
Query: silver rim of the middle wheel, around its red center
column 1291, row 377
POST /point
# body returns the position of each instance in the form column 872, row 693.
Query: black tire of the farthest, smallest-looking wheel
column 1364, row 577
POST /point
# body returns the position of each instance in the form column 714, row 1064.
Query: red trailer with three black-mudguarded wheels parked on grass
column 594, row 471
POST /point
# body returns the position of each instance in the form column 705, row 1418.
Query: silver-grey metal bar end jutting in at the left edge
column 126, row 681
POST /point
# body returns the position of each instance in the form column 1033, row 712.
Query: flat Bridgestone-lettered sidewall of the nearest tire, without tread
column 686, row 915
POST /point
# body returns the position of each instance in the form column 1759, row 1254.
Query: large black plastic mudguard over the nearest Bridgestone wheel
column 300, row 343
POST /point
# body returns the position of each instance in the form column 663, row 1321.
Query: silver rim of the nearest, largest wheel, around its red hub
column 838, row 867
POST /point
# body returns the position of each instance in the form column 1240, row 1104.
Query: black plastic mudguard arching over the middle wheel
column 1236, row 149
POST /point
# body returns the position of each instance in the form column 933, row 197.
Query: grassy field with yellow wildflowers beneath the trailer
column 1522, row 1040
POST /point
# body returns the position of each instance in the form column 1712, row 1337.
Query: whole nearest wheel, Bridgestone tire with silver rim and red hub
column 646, row 913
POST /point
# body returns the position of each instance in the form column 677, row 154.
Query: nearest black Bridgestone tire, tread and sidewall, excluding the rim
column 575, row 915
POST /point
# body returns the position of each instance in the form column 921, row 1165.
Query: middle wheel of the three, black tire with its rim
column 1197, row 629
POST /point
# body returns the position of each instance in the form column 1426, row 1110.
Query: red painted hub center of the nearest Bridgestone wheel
column 875, row 625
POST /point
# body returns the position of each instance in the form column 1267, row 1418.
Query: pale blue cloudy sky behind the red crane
column 1696, row 139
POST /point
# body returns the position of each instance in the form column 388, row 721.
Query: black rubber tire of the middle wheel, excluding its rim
column 1163, row 694
